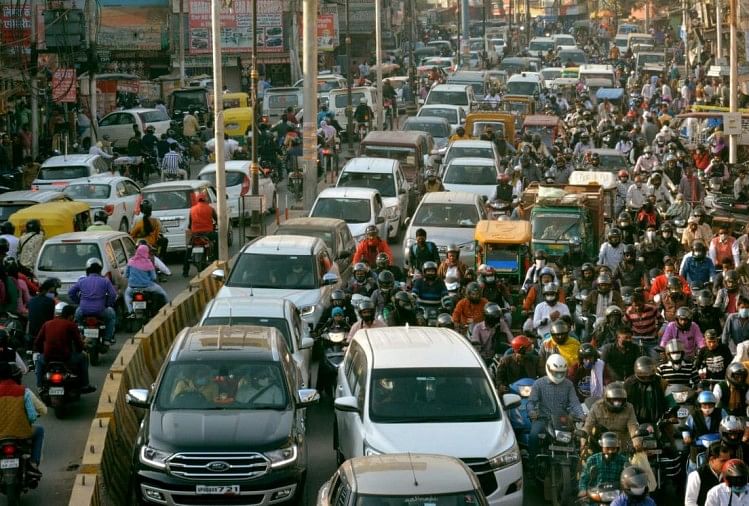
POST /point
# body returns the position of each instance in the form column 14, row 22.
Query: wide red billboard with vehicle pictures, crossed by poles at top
column 236, row 27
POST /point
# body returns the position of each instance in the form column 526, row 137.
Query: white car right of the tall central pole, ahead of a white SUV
column 358, row 207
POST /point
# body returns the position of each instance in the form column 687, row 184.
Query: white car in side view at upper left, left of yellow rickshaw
column 118, row 125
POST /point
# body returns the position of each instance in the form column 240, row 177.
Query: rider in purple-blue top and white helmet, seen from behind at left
column 96, row 296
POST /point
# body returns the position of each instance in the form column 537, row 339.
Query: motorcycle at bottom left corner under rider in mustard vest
column 15, row 479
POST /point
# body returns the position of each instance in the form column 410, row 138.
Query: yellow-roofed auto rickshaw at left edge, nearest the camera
column 55, row 217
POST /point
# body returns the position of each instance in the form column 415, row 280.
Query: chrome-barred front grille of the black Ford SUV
column 218, row 466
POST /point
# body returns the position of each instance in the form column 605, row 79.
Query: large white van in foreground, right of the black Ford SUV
column 426, row 390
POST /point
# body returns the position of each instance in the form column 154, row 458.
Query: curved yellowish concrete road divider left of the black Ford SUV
column 104, row 477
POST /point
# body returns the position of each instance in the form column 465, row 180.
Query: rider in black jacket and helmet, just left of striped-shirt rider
column 646, row 392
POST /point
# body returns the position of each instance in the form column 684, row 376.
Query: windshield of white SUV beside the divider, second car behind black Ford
column 283, row 272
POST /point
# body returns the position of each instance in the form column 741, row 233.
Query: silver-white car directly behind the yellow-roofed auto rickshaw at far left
column 117, row 195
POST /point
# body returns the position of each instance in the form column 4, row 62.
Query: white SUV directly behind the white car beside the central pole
column 384, row 175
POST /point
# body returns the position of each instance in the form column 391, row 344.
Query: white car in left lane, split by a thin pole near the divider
column 239, row 184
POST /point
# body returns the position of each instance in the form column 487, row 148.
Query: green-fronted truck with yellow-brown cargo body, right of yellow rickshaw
column 564, row 216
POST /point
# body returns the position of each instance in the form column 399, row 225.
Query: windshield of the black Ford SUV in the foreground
column 222, row 385
